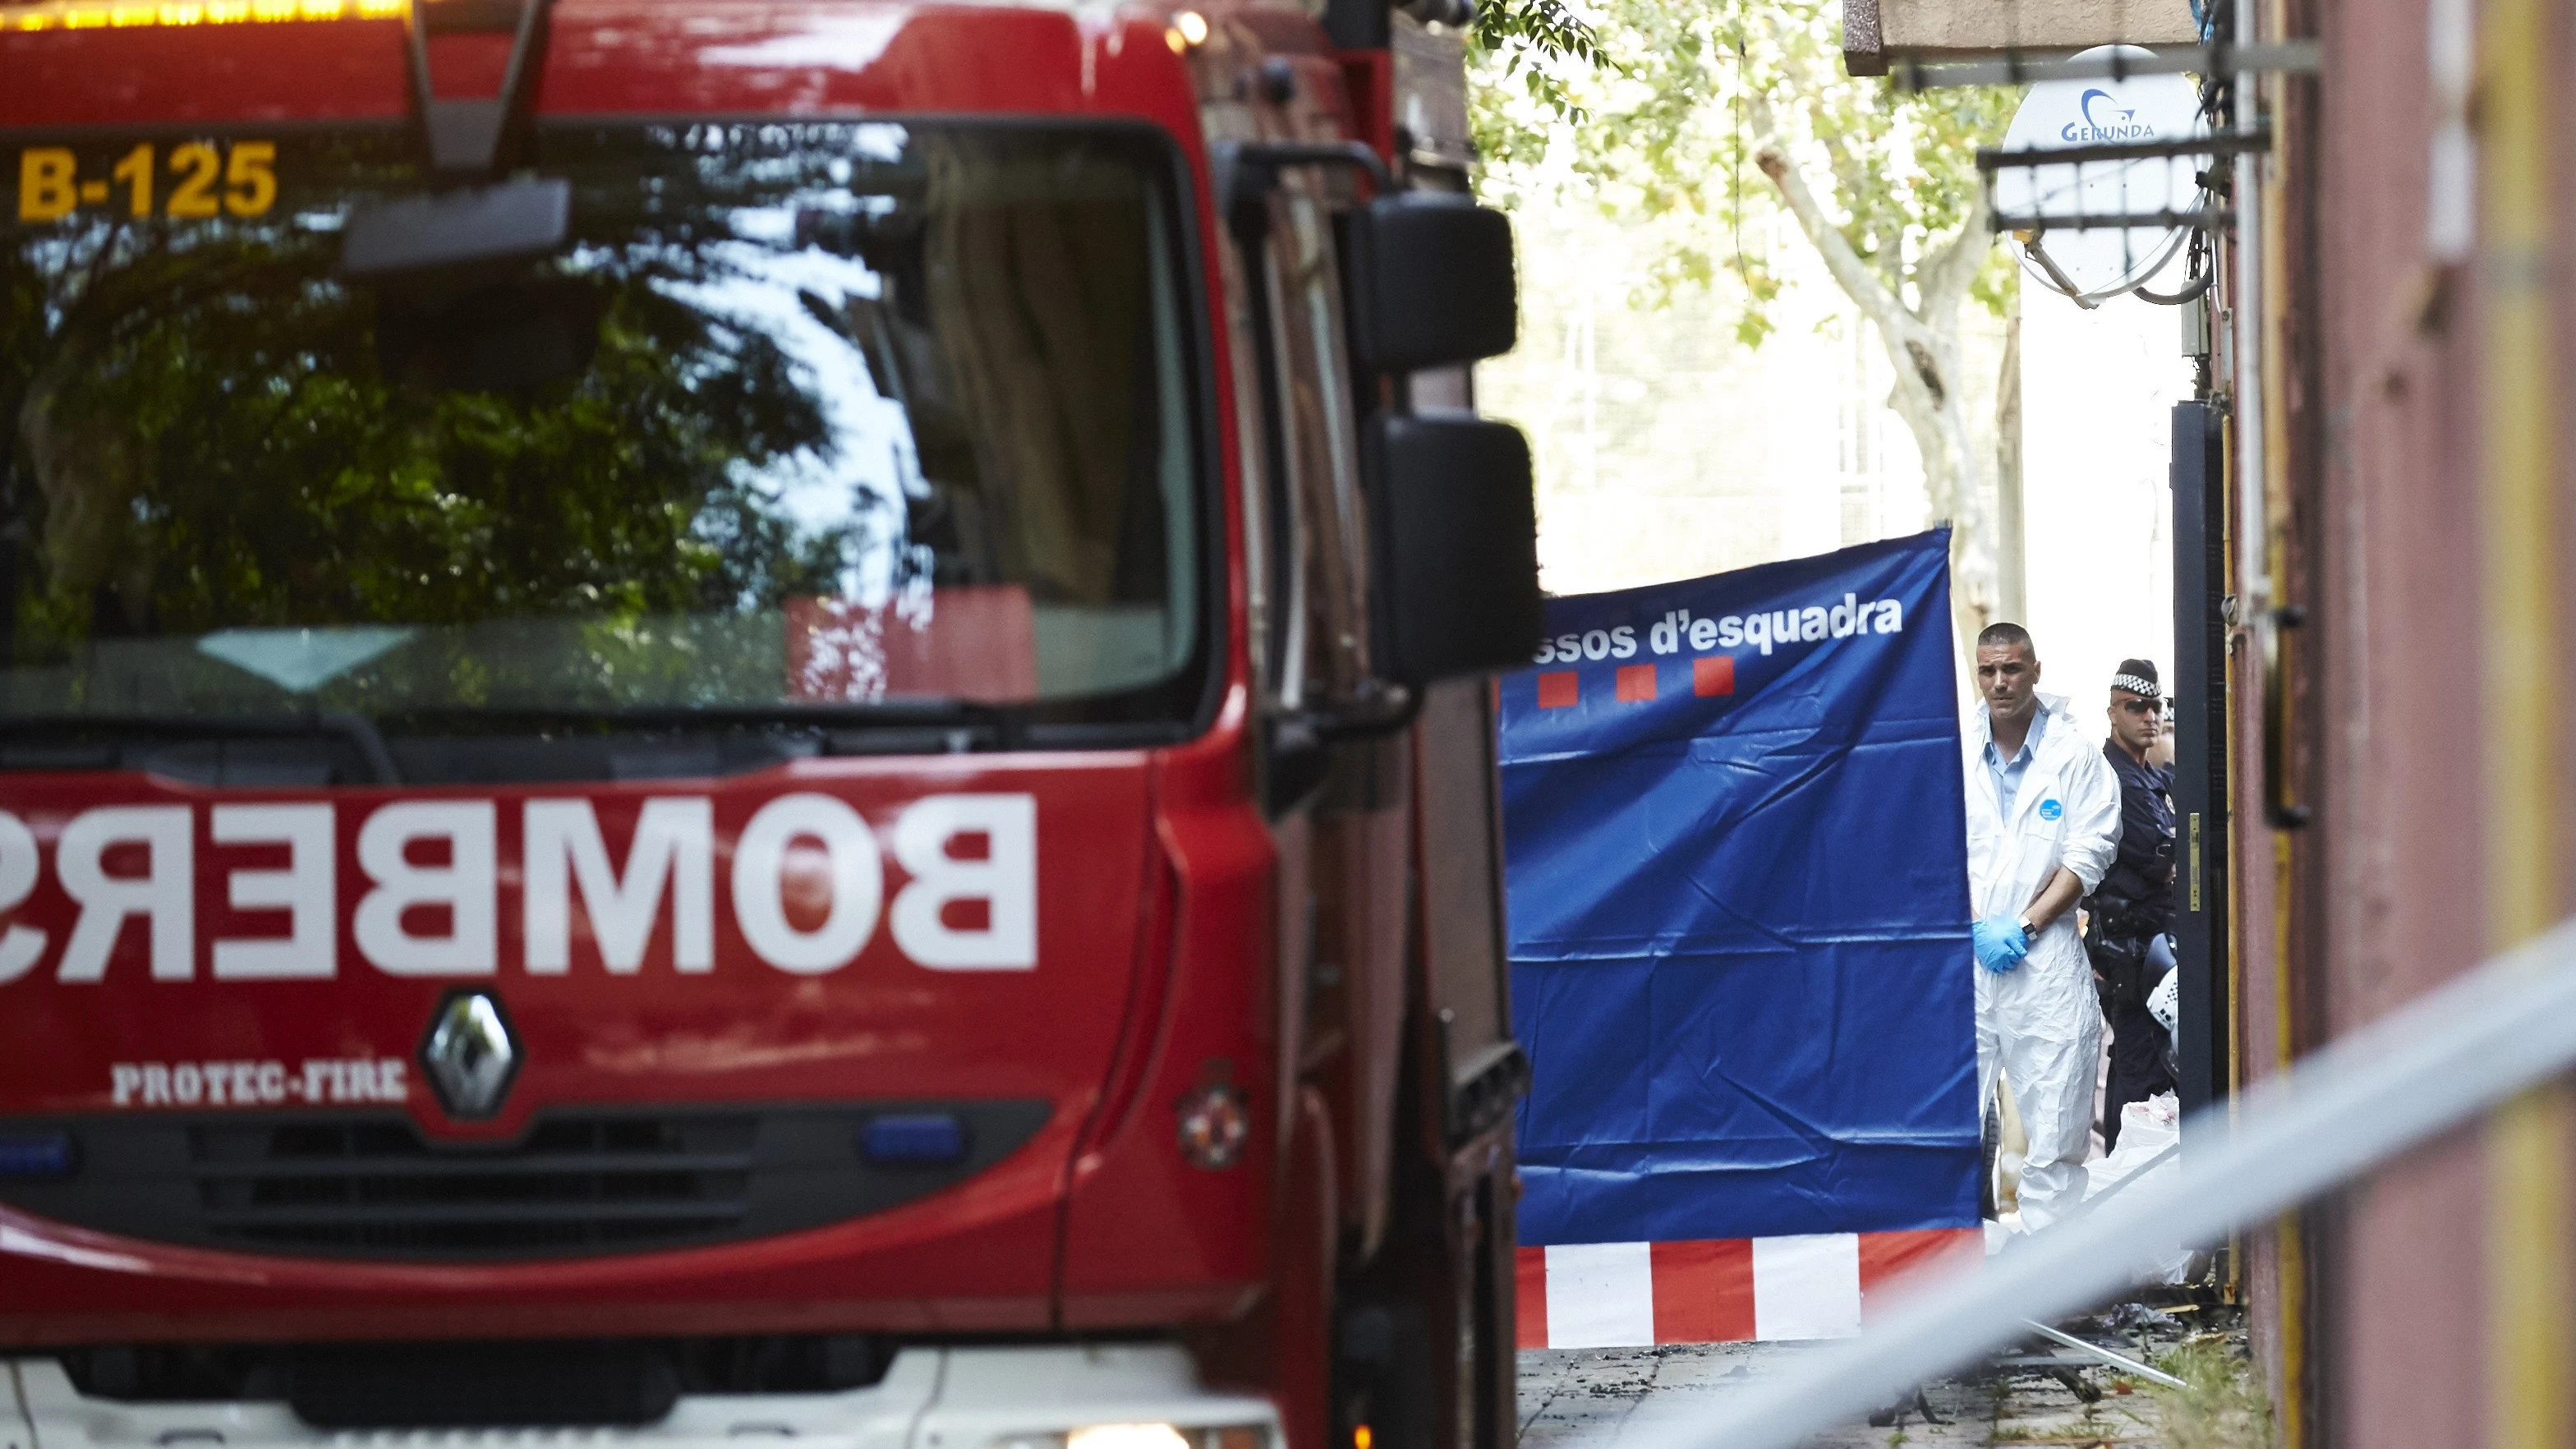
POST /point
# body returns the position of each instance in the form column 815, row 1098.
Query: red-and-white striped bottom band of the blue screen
column 1624, row 1296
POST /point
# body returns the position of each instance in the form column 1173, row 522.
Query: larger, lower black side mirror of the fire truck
column 1457, row 548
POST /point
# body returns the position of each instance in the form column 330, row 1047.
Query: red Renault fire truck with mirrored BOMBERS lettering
column 751, row 721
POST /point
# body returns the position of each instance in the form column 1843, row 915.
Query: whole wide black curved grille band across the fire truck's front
column 571, row 1185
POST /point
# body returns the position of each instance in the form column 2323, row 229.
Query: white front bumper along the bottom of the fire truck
column 1122, row 1396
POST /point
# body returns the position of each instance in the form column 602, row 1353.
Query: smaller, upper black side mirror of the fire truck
column 1431, row 282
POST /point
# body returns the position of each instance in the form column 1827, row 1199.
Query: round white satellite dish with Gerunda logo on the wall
column 2096, row 264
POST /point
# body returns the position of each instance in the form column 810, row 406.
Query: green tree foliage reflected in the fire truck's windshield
column 213, row 432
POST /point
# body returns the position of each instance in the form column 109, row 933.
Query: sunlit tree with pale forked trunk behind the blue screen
column 1694, row 120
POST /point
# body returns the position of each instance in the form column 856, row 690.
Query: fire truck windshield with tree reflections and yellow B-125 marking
column 802, row 419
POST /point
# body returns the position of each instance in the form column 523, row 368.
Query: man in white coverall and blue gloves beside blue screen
column 2044, row 824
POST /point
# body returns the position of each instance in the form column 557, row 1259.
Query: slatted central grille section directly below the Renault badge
column 591, row 1182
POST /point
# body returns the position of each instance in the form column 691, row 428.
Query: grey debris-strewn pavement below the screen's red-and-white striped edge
column 2034, row 1396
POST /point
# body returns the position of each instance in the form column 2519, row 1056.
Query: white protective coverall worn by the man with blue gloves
column 2039, row 1020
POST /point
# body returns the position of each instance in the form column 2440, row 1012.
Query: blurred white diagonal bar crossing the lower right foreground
column 2340, row 1113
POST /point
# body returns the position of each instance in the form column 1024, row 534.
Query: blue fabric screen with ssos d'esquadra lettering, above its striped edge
column 1740, row 906
